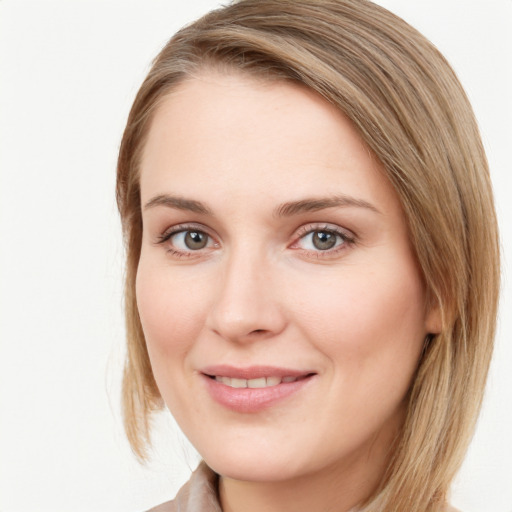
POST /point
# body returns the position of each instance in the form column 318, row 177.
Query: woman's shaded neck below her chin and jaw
column 340, row 487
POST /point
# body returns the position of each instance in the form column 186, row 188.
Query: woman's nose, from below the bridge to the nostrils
column 246, row 307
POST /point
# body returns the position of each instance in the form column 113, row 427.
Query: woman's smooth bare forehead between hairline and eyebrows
column 232, row 134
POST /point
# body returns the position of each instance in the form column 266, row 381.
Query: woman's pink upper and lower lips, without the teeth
column 252, row 400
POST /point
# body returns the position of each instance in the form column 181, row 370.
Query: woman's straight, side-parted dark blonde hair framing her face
column 409, row 107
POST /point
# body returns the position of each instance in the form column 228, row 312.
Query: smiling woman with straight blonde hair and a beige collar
column 313, row 268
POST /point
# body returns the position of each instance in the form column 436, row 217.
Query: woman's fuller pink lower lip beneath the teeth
column 250, row 400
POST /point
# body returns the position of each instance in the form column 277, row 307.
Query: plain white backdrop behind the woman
column 69, row 71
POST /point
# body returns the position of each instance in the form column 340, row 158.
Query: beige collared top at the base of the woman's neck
column 199, row 494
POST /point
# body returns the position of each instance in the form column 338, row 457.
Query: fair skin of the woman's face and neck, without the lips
column 261, row 293
